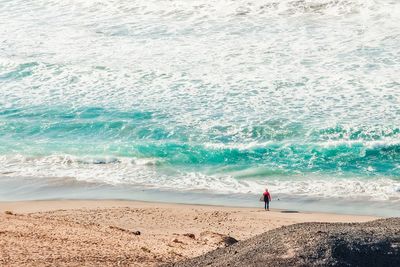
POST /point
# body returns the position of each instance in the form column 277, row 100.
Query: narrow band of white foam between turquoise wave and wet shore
column 143, row 173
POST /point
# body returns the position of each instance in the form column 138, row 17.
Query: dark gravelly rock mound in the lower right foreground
column 375, row 243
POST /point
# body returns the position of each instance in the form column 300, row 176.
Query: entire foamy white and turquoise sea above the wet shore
column 218, row 97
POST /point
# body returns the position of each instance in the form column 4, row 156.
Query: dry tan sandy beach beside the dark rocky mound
column 104, row 233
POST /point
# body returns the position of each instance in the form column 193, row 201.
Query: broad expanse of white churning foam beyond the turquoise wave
column 263, row 59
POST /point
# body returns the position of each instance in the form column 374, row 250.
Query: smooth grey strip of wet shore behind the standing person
column 25, row 189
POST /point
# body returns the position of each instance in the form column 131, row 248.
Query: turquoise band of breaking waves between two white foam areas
column 276, row 147
